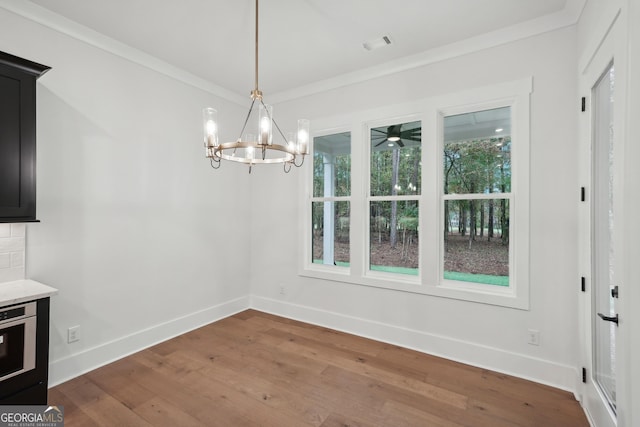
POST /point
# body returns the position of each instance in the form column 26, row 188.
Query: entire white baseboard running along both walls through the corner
column 542, row 371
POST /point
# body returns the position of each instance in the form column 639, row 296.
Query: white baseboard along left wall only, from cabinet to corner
column 69, row 367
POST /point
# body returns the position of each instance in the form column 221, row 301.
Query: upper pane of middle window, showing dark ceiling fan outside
column 395, row 159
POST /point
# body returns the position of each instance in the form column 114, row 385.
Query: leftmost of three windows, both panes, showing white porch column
column 330, row 211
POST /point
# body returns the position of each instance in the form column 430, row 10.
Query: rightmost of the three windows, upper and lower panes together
column 476, row 174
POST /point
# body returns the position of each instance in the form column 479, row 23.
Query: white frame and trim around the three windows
column 431, row 112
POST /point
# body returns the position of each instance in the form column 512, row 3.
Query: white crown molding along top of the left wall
column 85, row 34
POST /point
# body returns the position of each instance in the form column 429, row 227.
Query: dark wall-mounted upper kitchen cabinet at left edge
column 18, row 137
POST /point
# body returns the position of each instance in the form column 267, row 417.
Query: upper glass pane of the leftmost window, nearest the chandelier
column 332, row 165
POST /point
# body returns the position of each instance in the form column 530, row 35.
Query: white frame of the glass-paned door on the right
column 609, row 47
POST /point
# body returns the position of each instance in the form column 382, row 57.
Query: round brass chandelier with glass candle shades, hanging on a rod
column 257, row 146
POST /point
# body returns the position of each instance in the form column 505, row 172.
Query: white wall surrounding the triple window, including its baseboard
column 483, row 335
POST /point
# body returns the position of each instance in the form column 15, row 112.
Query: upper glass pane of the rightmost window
column 477, row 152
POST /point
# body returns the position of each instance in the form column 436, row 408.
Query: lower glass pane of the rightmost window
column 476, row 241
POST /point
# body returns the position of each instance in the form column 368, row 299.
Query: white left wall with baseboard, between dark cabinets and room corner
column 139, row 235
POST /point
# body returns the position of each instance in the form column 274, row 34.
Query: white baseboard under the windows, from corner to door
column 541, row 371
